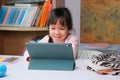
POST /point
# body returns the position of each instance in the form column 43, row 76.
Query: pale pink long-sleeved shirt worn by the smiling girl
column 70, row 39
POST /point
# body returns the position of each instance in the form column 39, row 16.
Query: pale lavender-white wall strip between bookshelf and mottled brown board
column 74, row 7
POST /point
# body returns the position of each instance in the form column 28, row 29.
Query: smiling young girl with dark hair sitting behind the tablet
column 60, row 24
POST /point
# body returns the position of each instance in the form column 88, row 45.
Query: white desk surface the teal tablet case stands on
column 19, row 71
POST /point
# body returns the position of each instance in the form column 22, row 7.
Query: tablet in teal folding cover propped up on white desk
column 50, row 56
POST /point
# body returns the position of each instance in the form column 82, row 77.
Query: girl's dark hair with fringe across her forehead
column 61, row 13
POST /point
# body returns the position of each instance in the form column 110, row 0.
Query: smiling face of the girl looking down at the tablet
column 58, row 32
